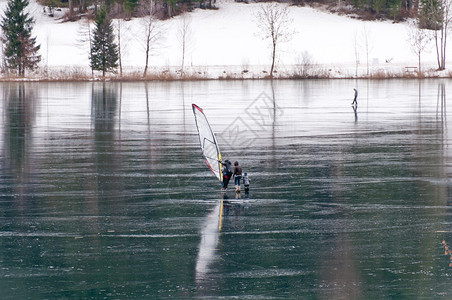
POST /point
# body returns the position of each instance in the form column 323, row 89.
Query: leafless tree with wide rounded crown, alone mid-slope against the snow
column 274, row 24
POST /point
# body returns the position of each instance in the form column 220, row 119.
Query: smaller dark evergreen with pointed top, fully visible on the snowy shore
column 104, row 51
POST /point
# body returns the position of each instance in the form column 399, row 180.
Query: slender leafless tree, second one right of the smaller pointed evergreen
column 152, row 31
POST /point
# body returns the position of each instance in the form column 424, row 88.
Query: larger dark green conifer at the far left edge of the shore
column 20, row 49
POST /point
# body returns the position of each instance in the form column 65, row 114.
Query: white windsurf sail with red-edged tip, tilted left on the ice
column 209, row 145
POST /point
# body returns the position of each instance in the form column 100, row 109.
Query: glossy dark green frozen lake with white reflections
column 104, row 193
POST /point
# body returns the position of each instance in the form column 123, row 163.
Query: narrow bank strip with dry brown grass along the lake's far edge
column 204, row 73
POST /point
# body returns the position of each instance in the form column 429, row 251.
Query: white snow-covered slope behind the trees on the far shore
column 224, row 44
